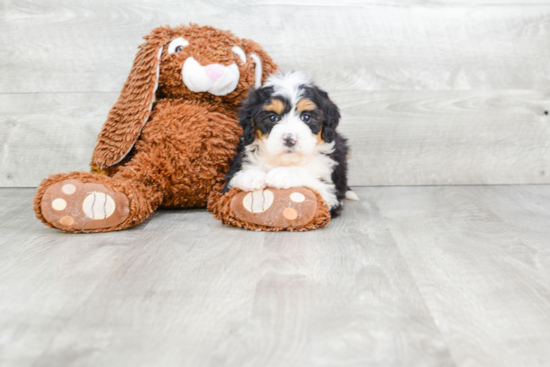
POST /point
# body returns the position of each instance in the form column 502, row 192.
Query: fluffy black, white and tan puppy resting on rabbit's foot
column 290, row 140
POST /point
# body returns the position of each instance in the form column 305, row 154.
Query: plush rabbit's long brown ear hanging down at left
column 130, row 113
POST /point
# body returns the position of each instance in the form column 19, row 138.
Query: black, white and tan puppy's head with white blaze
column 289, row 115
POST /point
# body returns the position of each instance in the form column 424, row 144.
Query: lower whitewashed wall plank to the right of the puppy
column 447, row 137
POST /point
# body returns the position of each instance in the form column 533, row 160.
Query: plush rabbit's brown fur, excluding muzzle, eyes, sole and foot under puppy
column 171, row 146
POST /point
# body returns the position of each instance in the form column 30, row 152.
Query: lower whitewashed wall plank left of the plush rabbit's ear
column 48, row 133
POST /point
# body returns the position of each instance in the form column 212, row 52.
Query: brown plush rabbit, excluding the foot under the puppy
column 170, row 137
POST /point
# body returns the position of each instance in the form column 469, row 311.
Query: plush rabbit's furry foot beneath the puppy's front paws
column 294, row 209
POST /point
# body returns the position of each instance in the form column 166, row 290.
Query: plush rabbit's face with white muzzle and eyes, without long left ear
column 210, row 64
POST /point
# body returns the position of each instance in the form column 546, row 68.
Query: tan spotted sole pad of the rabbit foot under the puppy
column 285, row 208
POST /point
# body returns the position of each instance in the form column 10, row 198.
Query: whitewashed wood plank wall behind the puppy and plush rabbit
column 432, row 92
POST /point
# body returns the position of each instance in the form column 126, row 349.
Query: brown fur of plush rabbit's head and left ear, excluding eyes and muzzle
column 207, row 45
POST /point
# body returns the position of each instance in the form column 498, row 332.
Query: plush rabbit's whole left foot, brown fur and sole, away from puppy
column 85, row 202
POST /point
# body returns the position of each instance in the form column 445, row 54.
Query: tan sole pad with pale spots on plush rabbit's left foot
column 71, row 204
